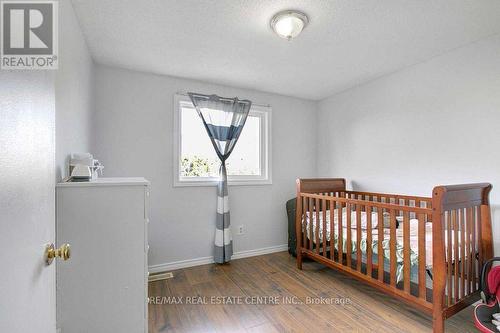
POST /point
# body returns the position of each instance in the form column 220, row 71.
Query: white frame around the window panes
column 264, row 112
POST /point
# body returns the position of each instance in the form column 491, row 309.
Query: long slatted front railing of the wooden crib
column 317, row 206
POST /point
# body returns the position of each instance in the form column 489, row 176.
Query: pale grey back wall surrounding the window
column 133, row 126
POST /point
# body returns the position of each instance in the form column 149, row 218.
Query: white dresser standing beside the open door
column 103, row 286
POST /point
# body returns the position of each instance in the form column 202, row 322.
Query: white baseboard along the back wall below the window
column 210, row 260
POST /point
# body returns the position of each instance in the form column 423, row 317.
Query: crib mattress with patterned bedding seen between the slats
column 375, row 237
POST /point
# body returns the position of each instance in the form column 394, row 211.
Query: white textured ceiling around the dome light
column 230, row 42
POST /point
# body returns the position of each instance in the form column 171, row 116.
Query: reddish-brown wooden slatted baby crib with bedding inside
column 458, row 217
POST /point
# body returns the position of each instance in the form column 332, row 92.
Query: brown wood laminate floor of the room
column 185, row 302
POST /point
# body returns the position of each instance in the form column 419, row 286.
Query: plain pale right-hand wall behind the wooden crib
column 434, row 123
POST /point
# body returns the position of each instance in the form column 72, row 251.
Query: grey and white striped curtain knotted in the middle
column 224, row 119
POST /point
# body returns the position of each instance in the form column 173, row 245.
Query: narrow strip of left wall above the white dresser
column 74, row 92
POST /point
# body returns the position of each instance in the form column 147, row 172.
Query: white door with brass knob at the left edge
column 27, row 183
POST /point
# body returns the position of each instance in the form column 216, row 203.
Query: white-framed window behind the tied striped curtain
column 195, row 160
